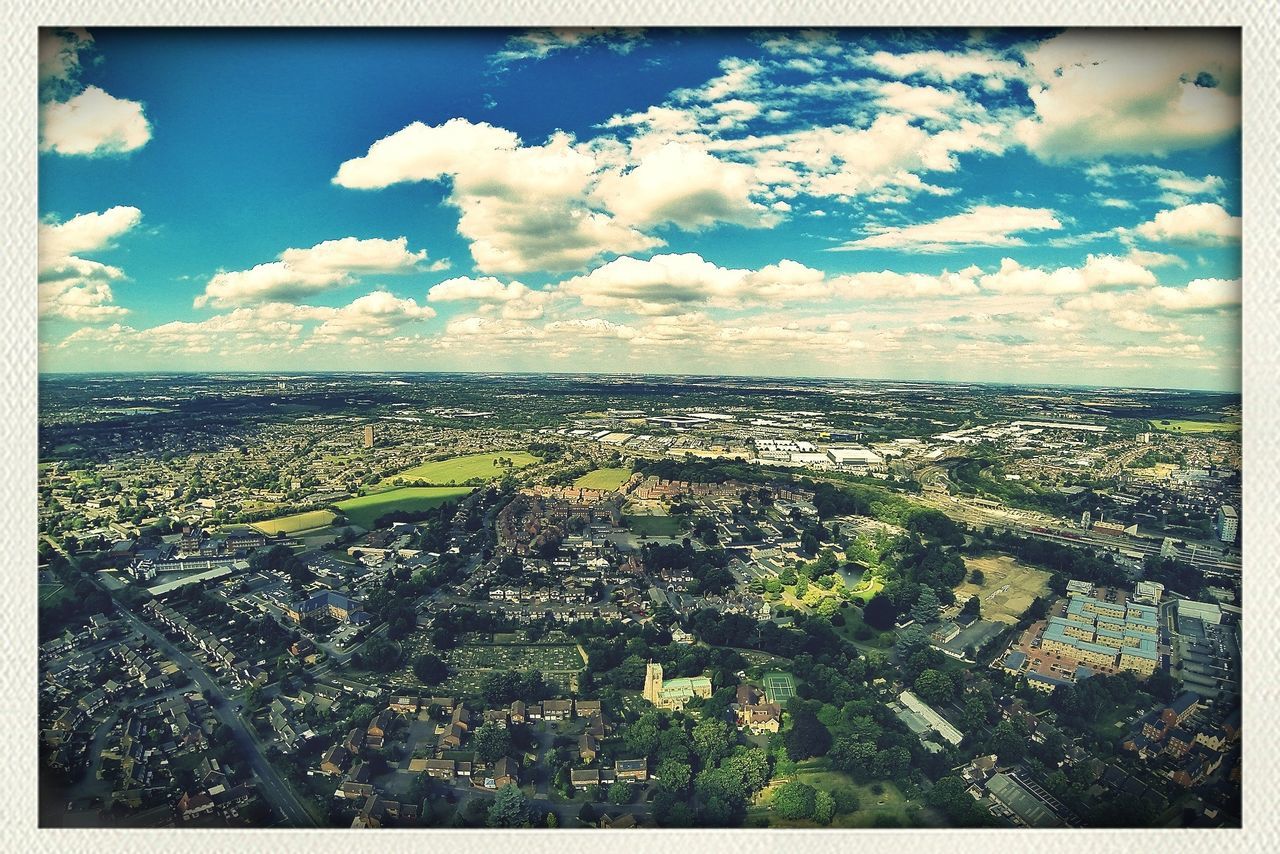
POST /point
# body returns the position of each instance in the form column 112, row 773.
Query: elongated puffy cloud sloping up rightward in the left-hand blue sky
column 301, row 272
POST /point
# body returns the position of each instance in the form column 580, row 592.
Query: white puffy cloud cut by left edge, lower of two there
column 77, row 289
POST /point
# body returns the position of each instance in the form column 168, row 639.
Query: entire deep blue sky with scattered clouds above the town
column 1023, row 207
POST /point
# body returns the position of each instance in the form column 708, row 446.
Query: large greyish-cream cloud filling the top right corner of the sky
column 1116, row 92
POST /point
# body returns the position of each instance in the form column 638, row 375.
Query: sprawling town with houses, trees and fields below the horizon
column 444, row 601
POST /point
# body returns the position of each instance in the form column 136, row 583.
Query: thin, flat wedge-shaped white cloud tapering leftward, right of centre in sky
column 980, row 226
